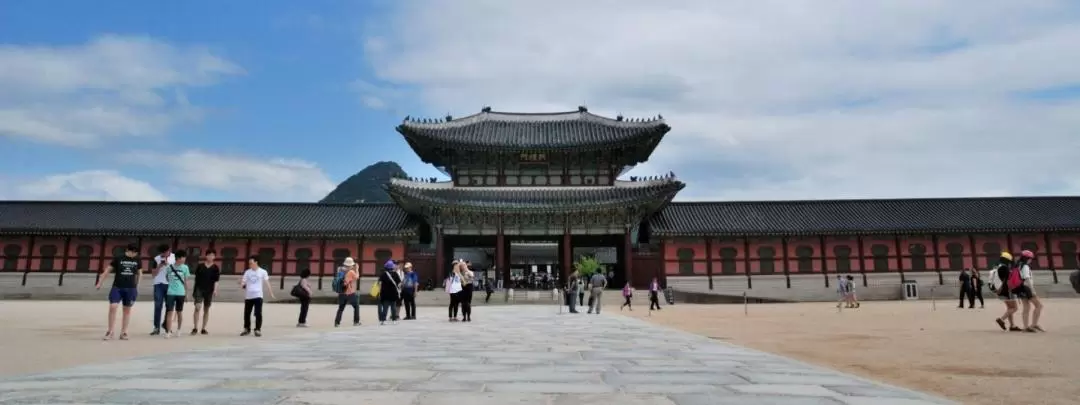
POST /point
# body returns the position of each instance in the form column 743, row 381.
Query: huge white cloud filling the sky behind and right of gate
column 774, row 99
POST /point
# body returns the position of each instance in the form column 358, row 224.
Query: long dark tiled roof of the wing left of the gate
column 209, row 220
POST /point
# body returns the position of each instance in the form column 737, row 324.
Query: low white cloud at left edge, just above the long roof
column 86, row 185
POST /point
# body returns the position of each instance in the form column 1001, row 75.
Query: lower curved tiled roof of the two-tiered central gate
column 559, row 198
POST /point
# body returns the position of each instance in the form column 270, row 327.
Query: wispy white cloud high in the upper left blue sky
column 111, row 87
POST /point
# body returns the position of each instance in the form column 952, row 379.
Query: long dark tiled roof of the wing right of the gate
column 870, row 217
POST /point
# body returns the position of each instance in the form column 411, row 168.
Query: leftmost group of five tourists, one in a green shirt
column 172, row 277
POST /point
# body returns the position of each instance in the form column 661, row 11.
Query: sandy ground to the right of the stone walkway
column 957, row 354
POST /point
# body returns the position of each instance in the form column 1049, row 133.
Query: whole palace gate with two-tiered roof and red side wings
column 528, row 195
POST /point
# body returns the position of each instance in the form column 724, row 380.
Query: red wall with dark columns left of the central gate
column 279, row 256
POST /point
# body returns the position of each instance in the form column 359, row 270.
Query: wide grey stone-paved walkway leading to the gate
column 510, row 356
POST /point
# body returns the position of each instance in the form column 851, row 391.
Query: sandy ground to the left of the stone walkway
column 42, row 336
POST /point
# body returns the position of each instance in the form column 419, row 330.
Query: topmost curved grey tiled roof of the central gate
column 517, row 131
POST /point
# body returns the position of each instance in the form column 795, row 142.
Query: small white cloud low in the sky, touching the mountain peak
column 248, row 178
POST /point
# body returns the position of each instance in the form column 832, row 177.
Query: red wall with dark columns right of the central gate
column 690, row 256
